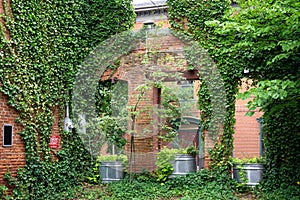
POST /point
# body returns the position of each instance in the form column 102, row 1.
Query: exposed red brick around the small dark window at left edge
column 12, row 150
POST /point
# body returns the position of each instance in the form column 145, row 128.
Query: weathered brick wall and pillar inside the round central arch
column 135, row 72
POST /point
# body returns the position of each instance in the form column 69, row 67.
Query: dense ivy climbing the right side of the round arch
column 190, row 17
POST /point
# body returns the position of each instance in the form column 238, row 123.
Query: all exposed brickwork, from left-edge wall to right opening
column 247, row 130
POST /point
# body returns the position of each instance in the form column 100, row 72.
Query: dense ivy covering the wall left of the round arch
column 39, row 61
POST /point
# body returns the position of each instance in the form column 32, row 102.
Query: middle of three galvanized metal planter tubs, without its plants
column 183, row 165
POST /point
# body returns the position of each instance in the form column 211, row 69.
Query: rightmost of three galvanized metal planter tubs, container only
column 252, row 172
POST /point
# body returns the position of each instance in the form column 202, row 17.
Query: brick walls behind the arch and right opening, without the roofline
column 135, row 72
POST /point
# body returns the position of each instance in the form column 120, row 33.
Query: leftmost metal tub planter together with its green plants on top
column 112, row 167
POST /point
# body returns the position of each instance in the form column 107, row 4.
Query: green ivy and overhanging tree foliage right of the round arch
column 262, row 37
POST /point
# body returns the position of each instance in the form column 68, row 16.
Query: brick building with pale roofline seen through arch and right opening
column 169, row 56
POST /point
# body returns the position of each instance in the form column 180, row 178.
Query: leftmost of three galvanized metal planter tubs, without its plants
column 111, row 171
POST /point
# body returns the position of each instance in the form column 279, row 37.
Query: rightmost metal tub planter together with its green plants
column 248, row 171
